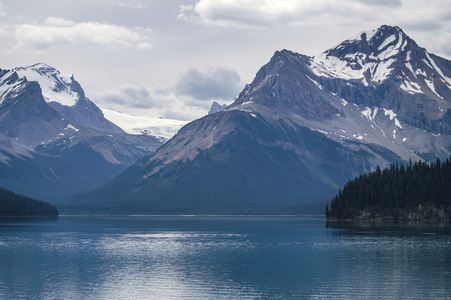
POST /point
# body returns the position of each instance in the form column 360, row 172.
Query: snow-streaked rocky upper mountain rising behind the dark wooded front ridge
column 379, row 88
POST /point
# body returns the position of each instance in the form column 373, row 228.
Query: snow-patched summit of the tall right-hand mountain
column 374, row 56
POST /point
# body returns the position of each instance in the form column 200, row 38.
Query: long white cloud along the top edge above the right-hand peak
column 270, row 13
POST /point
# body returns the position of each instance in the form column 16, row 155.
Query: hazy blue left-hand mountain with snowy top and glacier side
column 54, row 142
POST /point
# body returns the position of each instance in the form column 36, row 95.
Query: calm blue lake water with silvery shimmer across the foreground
column 222, row 258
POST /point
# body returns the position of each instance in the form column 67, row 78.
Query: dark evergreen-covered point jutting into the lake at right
column 417, row 191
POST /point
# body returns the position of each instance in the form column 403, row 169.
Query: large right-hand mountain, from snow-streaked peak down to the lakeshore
column 297, row 133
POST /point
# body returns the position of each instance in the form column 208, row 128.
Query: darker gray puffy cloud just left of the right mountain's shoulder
column 214, row 83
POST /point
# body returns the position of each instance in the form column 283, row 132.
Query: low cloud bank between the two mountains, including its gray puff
column 190, row 98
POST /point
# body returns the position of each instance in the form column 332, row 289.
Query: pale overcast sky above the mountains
column 173, row 58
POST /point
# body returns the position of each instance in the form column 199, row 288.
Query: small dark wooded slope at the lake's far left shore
column 12, row 204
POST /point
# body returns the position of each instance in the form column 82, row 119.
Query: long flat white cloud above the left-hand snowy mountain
column 56, row 32
